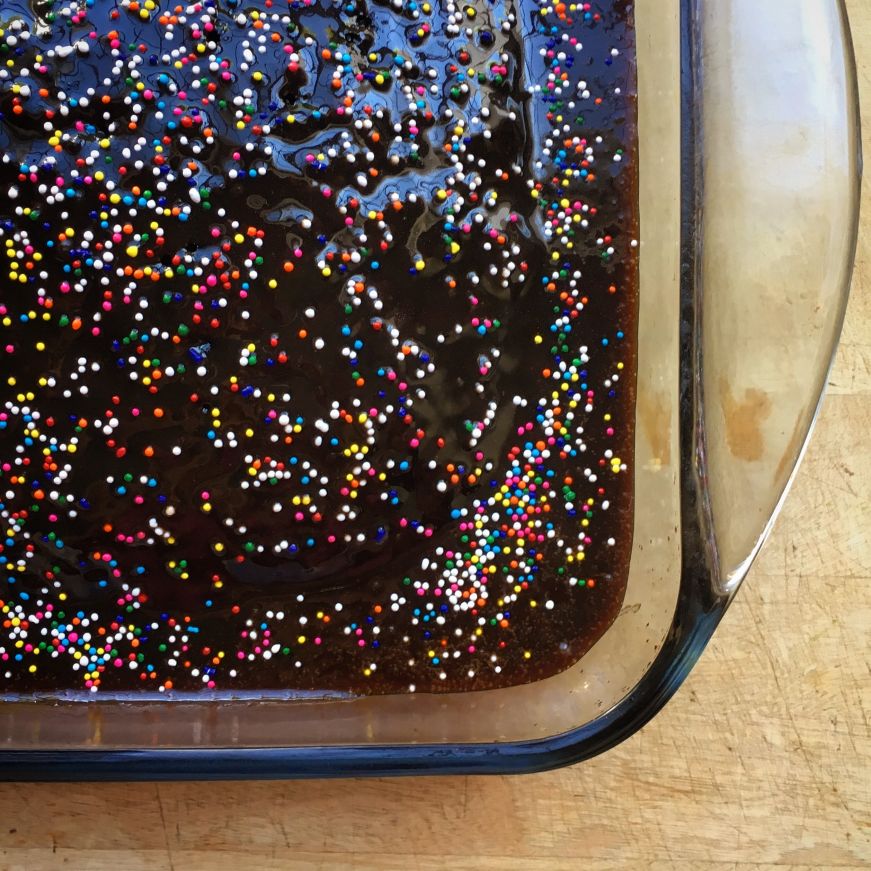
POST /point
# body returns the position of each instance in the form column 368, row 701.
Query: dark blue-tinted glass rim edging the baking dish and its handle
column 701, row 603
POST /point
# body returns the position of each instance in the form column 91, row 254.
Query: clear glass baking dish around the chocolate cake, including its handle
column 749, row 181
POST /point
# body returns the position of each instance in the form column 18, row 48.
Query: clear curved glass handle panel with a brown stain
column 778, row 167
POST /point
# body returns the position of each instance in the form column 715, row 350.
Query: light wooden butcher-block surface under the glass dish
column 762, row 760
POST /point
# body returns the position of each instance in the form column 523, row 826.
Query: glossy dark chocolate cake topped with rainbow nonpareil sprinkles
column 316, row 329
